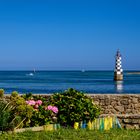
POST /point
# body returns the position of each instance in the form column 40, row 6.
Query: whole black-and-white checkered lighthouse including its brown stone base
column 118, row 73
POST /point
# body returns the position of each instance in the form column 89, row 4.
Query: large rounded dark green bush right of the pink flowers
column 73, row 106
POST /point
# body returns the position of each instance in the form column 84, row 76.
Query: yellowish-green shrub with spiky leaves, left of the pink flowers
column 14, row 113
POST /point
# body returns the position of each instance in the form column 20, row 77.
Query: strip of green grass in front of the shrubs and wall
column 71, row 134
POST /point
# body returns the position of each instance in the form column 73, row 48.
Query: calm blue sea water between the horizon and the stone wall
column 57, row 81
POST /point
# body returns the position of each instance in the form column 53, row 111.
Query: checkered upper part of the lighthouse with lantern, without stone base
column 118, row 66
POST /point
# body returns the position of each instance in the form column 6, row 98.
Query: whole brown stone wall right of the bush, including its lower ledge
column 126, row 107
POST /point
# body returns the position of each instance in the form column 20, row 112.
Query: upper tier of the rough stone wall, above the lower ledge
column 118, row 104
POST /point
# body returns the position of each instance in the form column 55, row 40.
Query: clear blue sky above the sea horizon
column 69, row 34
